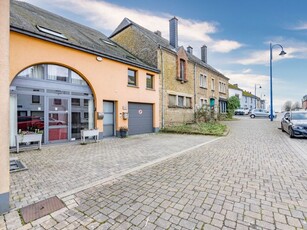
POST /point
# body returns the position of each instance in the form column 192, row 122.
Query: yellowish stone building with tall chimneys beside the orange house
column 186, row 82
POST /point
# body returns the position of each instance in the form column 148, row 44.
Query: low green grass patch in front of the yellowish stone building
column 210, row 128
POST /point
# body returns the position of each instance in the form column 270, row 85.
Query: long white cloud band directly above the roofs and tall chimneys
column 107, row 16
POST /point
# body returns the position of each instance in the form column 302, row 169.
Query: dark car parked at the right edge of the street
column 295, row 123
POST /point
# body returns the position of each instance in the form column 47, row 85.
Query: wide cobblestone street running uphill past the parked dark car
column 255, row 178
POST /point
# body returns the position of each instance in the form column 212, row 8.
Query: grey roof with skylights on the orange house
column 33, row 21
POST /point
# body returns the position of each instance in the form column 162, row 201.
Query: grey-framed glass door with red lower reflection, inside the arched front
column 58, row 119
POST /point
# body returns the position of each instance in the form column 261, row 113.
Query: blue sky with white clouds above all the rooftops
column 237, row 33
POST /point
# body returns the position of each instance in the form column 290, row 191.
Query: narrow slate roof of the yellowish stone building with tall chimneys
column 159, row 40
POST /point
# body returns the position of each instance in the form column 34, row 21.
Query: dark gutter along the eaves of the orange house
column 114, row 58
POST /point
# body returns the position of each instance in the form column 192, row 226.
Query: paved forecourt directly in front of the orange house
column 60, row 168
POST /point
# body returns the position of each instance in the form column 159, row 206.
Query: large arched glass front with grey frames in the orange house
column 61, row 113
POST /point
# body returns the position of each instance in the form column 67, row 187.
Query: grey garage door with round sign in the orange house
column 140, row 118
